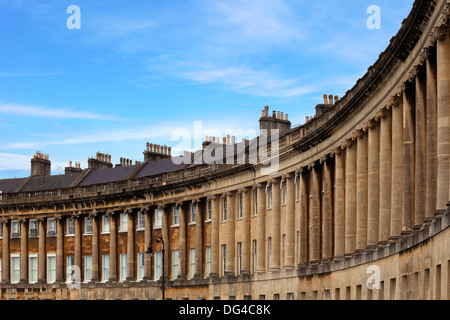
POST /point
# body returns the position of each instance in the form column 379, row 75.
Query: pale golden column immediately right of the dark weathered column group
column 350, row 200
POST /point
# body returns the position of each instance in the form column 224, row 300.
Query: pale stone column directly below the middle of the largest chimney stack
column 276, row 226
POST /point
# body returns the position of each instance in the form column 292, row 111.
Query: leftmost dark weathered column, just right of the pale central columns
column 304, row 208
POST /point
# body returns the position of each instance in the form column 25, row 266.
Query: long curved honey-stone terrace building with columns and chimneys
column 354, row 204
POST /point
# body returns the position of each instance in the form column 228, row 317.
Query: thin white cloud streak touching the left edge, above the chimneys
column 44, row 112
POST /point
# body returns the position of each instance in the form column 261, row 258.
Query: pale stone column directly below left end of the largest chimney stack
column 261, row 229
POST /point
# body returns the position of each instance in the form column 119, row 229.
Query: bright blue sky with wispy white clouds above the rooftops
column 140, row 70
